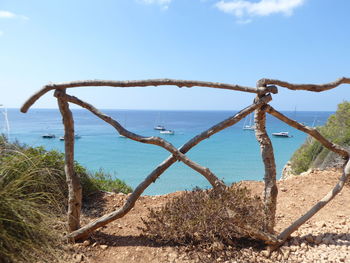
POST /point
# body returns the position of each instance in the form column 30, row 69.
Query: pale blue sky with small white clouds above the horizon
column 239, row 42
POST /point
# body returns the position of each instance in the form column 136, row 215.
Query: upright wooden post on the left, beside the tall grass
column 73, row 180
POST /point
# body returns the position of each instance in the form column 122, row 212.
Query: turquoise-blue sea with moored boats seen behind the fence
column 232, row 154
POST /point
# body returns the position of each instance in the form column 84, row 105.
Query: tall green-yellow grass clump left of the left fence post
column 29, row 195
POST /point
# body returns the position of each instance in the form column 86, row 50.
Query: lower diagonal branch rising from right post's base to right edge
column 317, row 207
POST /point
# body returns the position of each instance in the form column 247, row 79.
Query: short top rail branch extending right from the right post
column 309, row 87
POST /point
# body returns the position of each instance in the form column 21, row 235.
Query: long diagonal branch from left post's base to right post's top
column 84, row 232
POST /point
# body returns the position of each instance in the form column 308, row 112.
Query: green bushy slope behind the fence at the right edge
column 312, row 154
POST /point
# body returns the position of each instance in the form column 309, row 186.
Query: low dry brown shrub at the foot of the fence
column 210, row 220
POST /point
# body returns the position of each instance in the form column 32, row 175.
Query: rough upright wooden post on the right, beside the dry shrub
column 270, row 191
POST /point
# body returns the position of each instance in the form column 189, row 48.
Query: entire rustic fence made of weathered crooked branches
column 263, row 91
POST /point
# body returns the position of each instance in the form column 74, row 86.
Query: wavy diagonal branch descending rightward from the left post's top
column 209, row 175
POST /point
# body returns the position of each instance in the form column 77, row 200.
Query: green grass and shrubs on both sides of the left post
column 33, row 200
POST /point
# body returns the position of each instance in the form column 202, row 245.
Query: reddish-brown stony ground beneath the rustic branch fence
column 324, row 238
